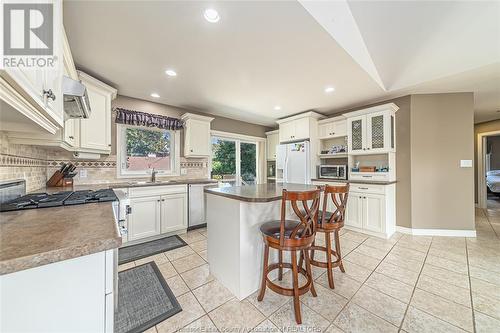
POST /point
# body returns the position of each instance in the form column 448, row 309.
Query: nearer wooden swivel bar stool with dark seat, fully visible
column 293, row 236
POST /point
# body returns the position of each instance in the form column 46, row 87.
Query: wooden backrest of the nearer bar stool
column 308, row 214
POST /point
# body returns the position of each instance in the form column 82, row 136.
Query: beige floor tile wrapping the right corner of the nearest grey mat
column 191, row 310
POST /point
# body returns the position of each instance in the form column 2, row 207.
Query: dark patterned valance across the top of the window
column 130, row 117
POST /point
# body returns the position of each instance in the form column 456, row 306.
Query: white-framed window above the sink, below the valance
column 142, row 149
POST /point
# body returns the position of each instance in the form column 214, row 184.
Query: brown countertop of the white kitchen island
column 258, row 193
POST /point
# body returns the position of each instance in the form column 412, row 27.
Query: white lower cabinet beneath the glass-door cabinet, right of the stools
column 371, row 208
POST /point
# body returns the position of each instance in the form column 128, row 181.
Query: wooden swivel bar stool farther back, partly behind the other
column 329, row 223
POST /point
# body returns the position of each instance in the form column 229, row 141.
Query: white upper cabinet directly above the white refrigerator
column 300, row 127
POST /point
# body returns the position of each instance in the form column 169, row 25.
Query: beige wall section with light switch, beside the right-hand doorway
column 441, row 128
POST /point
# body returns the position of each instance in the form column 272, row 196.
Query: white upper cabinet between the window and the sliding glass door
column 196, row 135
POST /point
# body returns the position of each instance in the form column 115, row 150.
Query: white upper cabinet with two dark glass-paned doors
column 372, row 130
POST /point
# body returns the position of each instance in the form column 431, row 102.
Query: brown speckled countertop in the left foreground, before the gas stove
column 36, row 237
